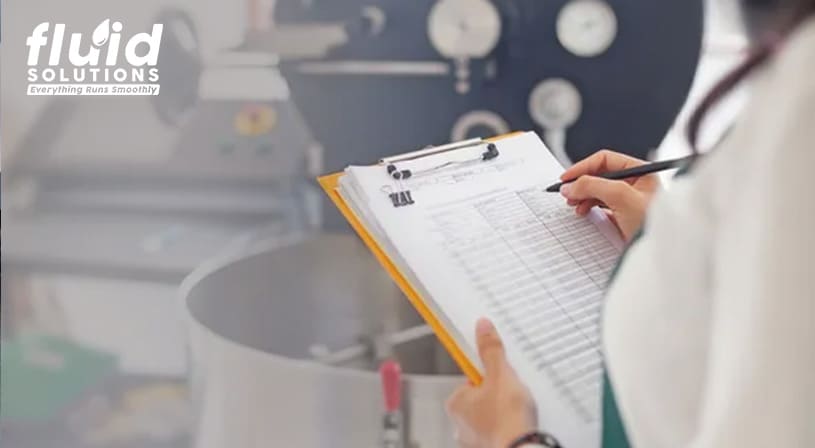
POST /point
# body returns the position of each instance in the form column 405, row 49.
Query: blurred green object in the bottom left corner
column 43, row 375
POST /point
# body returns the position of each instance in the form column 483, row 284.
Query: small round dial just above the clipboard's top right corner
column 555, row 104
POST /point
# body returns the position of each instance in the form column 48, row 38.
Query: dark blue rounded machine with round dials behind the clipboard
column 586, row 74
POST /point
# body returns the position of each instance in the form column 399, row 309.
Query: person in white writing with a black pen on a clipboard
column 709, row 322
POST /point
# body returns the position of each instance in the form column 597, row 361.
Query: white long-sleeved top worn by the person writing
column 709, row 327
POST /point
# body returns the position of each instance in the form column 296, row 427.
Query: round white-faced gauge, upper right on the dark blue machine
column 587, row 27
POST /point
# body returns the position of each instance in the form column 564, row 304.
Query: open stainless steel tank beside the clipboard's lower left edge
column 256, row 323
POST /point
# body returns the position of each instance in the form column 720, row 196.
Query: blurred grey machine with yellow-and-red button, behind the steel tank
column 153, row 186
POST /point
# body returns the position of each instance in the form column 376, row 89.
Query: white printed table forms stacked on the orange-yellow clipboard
column 485, row 239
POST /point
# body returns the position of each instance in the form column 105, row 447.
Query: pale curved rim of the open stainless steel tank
column 221, row 261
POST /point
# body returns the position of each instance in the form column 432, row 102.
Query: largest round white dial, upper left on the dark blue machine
column 464, row 29
